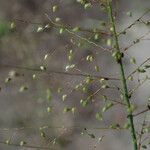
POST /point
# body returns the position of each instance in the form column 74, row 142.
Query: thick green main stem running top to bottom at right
column 123, row 78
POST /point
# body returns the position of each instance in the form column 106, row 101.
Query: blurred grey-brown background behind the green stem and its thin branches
column 39, row 103
